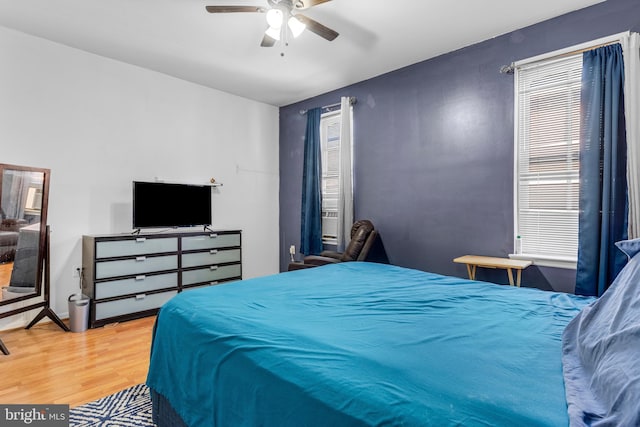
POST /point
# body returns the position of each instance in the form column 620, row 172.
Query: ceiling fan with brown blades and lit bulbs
column 279, row 13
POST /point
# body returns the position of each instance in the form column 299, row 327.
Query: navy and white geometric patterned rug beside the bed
column 129, row 407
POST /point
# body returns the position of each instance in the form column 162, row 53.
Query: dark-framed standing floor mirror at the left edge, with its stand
column 24, row 258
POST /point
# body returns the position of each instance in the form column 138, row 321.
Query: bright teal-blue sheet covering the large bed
column 364, row 344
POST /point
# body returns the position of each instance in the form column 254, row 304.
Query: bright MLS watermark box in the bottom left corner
column 34, row 415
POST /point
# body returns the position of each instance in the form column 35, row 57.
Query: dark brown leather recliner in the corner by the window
column 363, row 235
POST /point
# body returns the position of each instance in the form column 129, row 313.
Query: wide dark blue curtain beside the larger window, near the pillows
column 603, row 185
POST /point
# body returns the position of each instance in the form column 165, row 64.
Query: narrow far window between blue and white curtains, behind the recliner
column 330, row 160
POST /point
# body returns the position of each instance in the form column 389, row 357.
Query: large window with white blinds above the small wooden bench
column 548, row 159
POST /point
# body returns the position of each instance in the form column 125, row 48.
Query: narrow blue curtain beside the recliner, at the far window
column 311, row 223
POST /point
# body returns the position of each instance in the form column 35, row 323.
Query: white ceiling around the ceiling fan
column 222, row 51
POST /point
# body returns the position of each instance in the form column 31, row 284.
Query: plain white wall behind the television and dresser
column 99, row 124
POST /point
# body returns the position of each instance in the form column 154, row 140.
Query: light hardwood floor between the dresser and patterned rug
column 48, row 365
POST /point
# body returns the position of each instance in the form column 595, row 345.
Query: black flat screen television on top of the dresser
column 159, row 204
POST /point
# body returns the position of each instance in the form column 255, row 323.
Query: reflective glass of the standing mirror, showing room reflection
column 21, row 217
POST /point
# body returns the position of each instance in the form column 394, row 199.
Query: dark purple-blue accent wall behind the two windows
column 434, row 152
